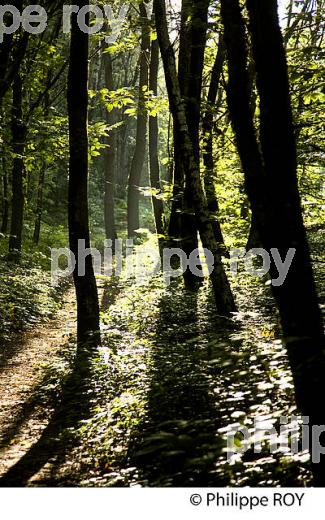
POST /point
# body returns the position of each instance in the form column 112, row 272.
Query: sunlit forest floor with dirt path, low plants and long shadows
column 171, row 379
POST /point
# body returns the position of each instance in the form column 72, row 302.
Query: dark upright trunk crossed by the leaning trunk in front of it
column 190, row 64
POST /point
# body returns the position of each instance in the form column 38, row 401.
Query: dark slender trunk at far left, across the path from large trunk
column 19, row 135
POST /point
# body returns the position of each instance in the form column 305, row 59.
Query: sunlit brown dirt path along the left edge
column 22, row 369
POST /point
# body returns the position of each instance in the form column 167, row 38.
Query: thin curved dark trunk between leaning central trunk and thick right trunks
column 207, row 128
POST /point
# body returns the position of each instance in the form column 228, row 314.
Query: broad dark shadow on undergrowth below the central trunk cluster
column 177, row 445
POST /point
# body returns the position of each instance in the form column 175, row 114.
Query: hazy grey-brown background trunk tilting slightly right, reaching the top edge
column 142, row 124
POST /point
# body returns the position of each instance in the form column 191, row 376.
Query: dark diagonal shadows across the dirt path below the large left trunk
column 58, row 438
